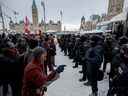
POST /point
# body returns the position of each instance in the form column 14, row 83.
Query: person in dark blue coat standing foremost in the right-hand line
column 94, row 58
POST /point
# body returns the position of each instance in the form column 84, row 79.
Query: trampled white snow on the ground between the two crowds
column 68, row 84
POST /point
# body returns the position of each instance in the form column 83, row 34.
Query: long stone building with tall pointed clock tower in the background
column 35, row 25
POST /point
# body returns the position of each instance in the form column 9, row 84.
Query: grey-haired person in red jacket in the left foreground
column 35, row 79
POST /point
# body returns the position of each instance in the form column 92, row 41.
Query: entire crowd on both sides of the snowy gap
column 26, row 58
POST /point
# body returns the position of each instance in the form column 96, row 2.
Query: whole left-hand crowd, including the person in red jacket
column 24, row 60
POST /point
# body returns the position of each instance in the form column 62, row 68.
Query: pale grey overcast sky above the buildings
column 73, row 10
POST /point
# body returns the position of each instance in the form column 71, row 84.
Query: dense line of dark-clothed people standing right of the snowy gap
column 94, row 52
